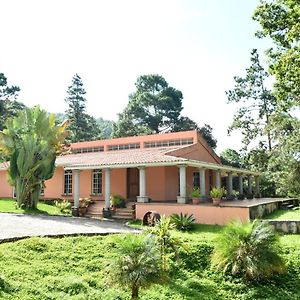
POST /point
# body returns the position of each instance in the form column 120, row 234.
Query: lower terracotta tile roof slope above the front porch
column 114, row 158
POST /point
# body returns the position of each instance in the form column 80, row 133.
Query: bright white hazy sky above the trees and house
column 197, row 45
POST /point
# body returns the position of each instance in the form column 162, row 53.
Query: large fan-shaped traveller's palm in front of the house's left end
column 31, row 141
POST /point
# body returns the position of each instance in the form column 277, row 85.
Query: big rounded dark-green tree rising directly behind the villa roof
column 155, row 107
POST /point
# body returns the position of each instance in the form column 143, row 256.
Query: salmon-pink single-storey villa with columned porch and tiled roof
column 155, row 172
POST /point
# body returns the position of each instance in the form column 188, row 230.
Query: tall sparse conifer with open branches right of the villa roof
column 258, row 103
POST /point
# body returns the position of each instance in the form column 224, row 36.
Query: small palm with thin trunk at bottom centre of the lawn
column 137, row 263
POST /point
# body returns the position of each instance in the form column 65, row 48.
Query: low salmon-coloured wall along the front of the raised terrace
column 211, row 215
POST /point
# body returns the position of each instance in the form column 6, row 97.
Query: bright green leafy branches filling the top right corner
column 280, row 21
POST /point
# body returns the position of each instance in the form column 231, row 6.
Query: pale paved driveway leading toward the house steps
column 15, row 226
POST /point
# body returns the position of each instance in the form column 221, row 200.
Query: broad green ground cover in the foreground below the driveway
column 76, row 268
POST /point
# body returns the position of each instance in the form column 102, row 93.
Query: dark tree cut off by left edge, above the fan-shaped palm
column 8, row 105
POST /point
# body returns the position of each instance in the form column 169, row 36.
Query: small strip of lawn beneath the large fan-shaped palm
column 9, row 205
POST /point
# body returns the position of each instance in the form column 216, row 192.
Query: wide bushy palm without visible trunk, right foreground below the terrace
column 249, row 250
